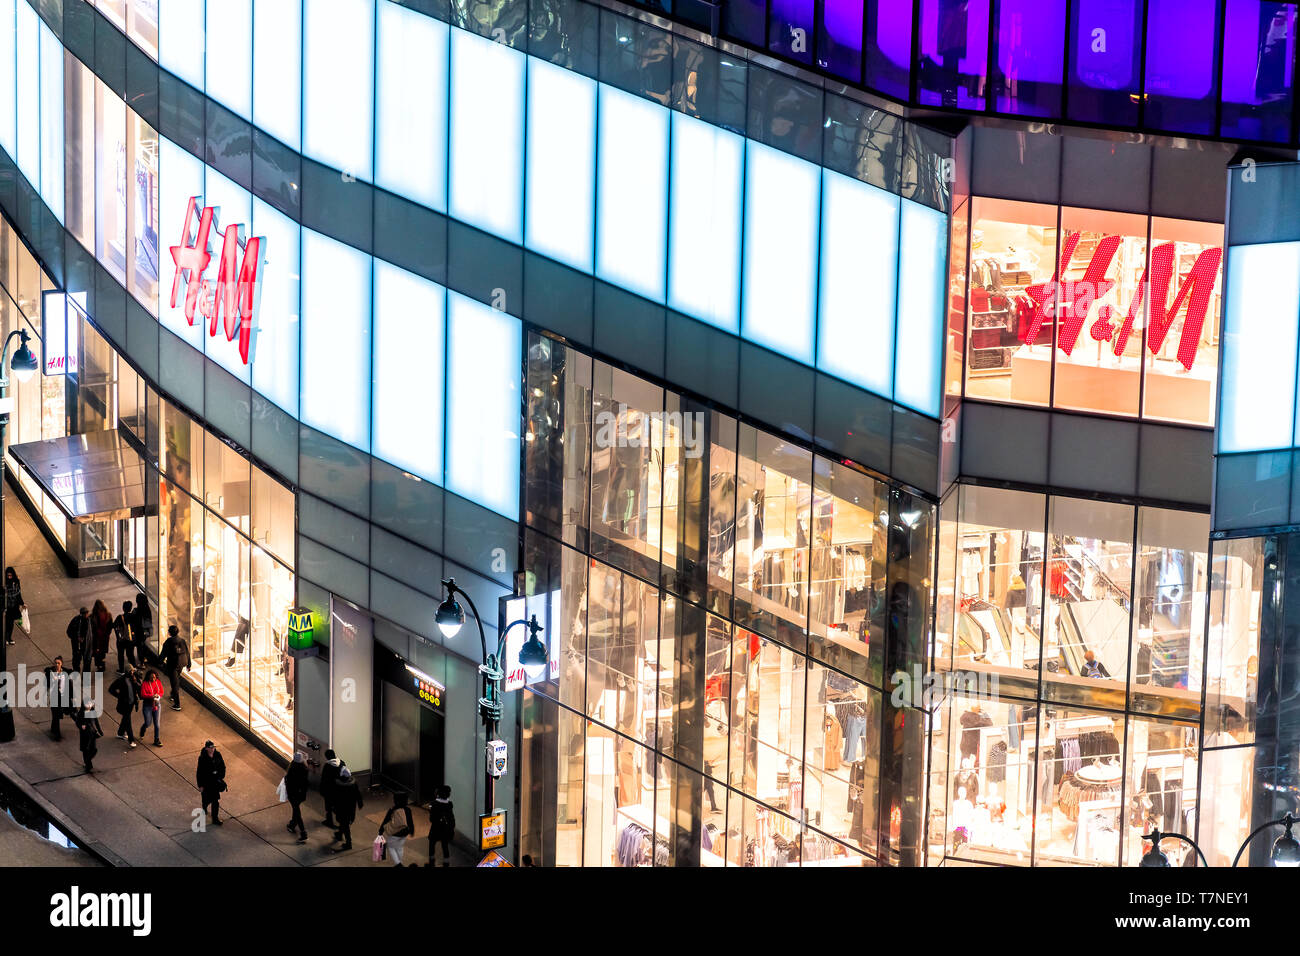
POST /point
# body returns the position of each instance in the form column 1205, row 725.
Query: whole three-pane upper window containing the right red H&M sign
column 1086, row 317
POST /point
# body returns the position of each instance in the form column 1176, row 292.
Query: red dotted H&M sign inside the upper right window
column 1074, row 300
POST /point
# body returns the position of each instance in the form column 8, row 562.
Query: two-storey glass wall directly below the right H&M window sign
column 1074, row 642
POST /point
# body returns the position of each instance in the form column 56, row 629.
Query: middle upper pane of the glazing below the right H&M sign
column 1087, row 607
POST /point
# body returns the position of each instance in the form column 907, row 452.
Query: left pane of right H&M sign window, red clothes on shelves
column 1013, row 250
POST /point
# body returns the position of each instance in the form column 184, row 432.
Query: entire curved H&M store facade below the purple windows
column 775, row 403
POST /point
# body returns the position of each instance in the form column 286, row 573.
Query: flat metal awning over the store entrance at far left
column 94, row 477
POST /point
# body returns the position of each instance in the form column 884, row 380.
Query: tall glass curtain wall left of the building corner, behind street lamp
column 717, row 602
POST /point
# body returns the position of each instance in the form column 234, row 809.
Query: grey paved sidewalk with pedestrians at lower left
column 141, row 806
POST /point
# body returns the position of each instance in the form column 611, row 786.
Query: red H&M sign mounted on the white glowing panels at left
column 232, row 301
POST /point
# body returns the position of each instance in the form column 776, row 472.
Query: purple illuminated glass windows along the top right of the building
column 1198, row 67
